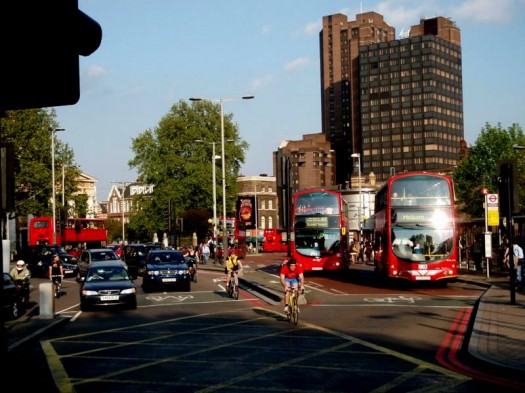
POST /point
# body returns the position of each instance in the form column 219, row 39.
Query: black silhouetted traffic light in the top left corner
column 40, row 43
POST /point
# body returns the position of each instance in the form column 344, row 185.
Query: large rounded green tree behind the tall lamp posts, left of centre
column 180, row 168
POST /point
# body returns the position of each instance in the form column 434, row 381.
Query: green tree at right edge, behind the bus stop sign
column 480, row 167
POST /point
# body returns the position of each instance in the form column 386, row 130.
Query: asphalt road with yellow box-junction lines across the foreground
column 352, row 336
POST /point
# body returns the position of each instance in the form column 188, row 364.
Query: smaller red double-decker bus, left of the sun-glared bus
column 319, row 238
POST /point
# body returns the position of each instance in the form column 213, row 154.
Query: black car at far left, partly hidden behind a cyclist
column 38, row 259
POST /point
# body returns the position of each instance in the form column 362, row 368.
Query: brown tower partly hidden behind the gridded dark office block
column 340, row 41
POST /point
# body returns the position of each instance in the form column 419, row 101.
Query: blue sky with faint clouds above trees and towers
column 157, row 52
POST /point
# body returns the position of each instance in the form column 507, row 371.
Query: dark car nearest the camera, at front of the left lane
column 107, row 284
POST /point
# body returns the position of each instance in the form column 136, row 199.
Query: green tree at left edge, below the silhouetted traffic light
column 30, row 132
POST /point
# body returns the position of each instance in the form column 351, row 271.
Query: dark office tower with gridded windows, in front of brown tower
column 412, row 101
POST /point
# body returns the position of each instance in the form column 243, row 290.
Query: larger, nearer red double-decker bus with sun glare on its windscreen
column 414, row 235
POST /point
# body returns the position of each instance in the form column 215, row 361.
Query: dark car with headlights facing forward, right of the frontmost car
column 166, row 268
